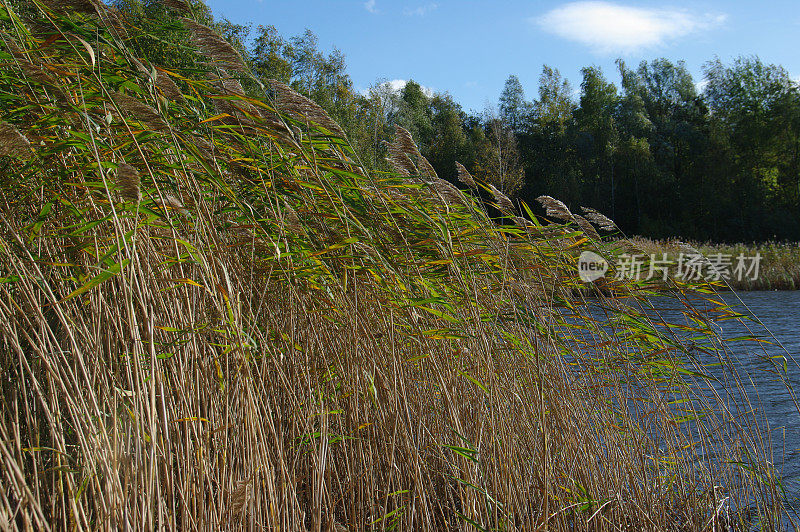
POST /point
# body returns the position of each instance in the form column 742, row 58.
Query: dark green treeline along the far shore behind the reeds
column 658, row 155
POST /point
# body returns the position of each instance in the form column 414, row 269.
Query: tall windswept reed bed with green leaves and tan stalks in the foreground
column 212, row 317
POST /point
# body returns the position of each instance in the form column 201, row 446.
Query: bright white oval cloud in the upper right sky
column 614, row 28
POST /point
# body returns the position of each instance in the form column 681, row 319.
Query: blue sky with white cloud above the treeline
column 469, row 47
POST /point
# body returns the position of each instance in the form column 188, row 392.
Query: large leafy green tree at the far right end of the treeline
column 754, row 109
